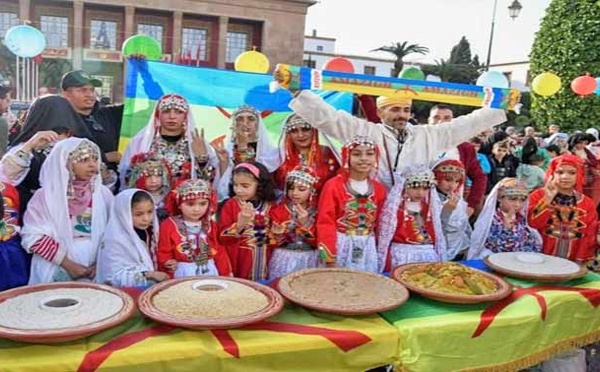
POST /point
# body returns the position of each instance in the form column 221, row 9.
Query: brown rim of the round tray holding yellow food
column 504, row 288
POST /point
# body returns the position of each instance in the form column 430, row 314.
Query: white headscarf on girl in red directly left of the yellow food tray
column 389, row 215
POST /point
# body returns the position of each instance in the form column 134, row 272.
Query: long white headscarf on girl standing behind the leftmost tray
column 48, row 211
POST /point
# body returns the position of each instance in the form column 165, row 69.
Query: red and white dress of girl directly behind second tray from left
column 197, row 251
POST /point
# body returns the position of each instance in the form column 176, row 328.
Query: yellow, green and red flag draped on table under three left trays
column 294, row 340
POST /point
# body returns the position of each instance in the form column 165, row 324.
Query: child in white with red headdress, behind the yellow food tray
column 450, row 179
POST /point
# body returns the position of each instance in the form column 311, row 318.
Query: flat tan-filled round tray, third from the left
column 342, row 291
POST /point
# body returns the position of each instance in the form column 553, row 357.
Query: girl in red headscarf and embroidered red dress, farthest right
column 562, row 214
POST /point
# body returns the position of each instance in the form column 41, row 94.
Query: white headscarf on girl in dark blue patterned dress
column 481, row 230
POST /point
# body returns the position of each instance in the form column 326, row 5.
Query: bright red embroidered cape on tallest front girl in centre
column 341, row 211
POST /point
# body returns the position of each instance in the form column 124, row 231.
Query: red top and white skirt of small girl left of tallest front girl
column 296, row 248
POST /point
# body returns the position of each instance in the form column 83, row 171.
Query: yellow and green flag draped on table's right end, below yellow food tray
column 536, row 322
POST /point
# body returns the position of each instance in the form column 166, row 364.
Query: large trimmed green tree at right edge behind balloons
column 568, row 44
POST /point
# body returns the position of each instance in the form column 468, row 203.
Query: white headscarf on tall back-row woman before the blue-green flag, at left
column 142, row 143
